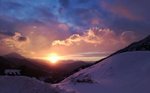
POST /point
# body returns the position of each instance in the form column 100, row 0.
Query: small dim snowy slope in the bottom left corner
column 21, row 84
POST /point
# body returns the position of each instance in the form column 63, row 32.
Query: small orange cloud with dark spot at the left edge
column 15, row 43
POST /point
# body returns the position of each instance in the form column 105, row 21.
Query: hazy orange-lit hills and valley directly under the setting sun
column 63, row 69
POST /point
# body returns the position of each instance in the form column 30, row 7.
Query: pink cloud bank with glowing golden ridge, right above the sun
column 95, row 40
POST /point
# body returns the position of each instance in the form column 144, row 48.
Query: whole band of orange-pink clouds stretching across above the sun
column 39, row 41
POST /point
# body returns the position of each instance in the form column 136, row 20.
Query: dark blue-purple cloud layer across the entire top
column 119, row 15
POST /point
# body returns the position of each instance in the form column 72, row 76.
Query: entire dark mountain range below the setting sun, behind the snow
column 39, row 69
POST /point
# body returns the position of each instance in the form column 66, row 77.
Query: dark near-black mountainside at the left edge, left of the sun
column 26, row 67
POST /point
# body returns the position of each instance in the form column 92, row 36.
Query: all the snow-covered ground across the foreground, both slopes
column 122, row 73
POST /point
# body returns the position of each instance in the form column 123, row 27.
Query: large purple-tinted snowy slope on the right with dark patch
column 122, row 73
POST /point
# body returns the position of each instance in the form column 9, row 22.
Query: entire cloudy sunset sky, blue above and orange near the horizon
column 73, row 29
